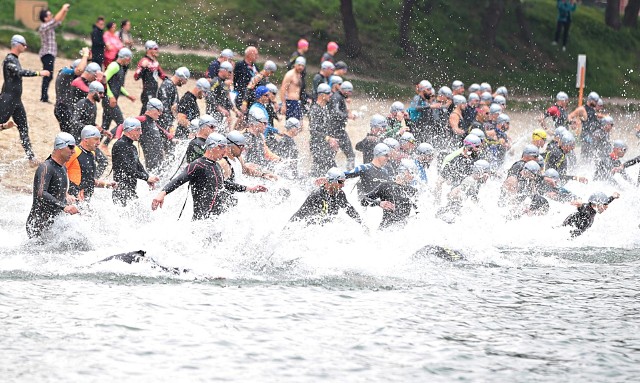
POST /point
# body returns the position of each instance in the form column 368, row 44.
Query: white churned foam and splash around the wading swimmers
column 254, row 240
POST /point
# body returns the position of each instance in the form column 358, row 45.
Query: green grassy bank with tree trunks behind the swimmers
column 447, row 40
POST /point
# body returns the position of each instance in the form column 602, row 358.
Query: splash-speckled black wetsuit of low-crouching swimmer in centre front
column 321, row 206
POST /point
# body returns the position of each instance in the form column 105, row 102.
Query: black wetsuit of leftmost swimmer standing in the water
column 49, row 196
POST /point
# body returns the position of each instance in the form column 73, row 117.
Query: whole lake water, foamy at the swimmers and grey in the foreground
column 269, row 303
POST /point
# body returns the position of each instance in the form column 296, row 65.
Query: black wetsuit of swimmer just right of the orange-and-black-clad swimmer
column 127, row 169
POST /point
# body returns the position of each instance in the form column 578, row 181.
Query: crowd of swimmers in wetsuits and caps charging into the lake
column 462, row 131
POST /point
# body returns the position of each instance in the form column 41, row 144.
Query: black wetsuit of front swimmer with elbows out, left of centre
column 207, row 186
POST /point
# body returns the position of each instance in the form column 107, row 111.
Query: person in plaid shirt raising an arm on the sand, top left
column 49, row 48
